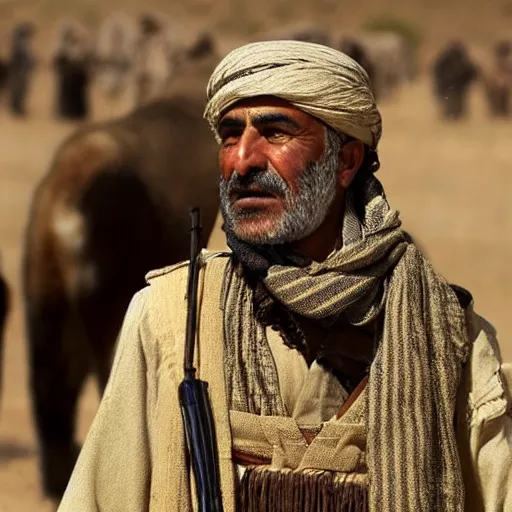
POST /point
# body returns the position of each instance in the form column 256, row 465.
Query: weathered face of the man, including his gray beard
column 277, row 180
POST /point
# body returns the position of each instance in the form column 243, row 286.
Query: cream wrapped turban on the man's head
column 319, row 80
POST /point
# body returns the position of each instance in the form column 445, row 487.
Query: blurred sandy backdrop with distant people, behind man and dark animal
column 442, row 72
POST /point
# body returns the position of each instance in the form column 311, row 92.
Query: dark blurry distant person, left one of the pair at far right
column 454, row 73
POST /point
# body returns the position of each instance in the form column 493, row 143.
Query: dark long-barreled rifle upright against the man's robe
column 195, row 404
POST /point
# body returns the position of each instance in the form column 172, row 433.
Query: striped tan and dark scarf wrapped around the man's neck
column 412, row 455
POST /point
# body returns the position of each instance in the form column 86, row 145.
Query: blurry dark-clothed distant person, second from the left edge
column 72, row 65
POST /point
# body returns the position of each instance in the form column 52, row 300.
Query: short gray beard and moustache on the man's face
column 303, row 211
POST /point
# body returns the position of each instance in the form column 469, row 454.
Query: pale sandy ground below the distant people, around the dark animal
column 450, row 181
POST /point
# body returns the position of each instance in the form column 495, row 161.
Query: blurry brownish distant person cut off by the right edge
column 498, row 83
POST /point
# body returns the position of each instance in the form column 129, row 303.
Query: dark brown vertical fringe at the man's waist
column 263, row 489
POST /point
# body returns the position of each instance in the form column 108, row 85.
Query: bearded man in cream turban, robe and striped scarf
column 344, row 372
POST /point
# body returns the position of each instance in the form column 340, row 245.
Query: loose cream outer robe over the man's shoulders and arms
column 134, row 456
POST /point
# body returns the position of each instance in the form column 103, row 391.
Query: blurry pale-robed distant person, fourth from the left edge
column 152, row 64
